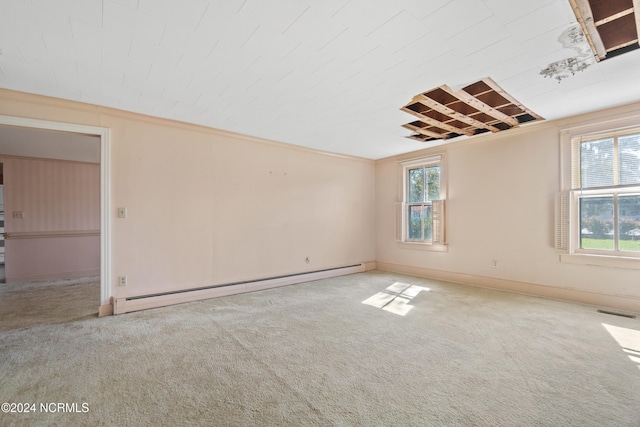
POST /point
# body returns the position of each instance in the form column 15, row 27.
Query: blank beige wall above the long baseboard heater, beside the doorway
column 210, row 207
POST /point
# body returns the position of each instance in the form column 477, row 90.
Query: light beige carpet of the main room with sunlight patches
column 314, row 354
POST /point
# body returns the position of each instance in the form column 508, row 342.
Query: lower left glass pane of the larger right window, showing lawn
column 596, row 223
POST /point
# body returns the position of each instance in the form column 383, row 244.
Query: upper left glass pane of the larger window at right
column 596, row 163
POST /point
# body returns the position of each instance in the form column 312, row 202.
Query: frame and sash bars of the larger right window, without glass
column 572, row 192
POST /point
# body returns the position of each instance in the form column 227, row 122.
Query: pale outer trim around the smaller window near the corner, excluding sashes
column 401, row 234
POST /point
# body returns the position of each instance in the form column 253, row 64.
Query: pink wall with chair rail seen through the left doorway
column 58, row 236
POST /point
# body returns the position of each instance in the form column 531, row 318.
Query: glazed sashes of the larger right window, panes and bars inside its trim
column 606, row 190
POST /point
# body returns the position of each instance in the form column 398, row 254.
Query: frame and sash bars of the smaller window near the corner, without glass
column 438, row 244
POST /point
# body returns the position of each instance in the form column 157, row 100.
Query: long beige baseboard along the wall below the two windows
column 624, row 303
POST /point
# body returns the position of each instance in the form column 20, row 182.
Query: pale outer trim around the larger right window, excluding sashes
column 567, row 215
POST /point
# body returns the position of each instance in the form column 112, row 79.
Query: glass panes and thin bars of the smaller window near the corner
column 423, row 187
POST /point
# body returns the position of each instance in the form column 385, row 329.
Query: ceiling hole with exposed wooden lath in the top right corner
column 612, row 26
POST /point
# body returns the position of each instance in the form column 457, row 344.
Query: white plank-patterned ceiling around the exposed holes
column 325, row 74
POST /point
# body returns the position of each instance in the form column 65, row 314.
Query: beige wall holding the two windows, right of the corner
column 501, row 207
